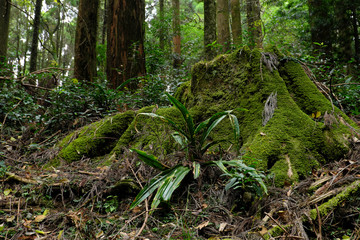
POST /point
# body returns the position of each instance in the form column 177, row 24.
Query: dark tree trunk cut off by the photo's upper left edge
column 4, row 29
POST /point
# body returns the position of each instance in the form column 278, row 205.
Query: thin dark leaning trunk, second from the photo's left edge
column 35, row 37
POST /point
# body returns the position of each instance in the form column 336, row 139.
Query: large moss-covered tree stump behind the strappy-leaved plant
column 285, row 139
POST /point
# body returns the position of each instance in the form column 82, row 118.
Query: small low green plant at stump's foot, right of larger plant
column 243, row 176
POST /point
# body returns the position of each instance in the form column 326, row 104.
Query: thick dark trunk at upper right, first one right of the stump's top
column 321, row 27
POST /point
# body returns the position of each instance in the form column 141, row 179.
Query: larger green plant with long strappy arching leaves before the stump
column 194, row 138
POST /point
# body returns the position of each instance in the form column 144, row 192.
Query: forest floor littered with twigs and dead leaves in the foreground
column 79, row 201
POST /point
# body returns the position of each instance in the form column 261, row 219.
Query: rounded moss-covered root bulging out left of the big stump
column 96, row 139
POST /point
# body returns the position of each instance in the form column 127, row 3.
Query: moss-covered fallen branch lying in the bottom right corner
column 334, row 202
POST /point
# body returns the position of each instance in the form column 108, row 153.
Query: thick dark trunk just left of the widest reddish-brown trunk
column 85, row 40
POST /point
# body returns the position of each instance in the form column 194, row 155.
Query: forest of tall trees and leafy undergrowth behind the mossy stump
column 64, row 64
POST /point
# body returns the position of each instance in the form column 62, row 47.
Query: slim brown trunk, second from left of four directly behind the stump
column 223, row 28
